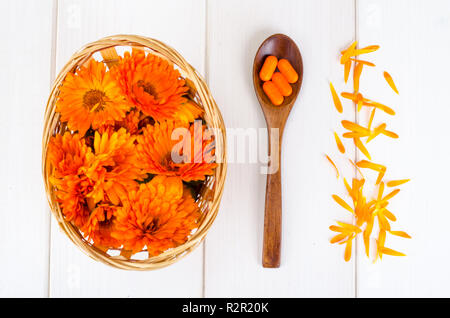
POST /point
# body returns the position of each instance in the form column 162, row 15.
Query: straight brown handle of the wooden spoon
column 272, row 214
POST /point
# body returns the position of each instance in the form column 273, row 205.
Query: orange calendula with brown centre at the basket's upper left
column 90, row 97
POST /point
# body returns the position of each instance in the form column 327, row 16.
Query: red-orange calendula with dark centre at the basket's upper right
column 150, row 83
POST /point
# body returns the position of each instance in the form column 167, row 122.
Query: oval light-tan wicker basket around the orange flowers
column 211, row 192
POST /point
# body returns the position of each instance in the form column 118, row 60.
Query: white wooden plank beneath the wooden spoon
column 310, row 265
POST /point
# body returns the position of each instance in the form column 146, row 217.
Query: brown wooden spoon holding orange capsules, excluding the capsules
column 280, row 46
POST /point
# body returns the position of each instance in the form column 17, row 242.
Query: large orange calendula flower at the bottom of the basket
column 160, row 215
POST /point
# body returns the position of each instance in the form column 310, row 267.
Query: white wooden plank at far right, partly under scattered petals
column 414, row 48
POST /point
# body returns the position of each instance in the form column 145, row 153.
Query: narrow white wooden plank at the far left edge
column 26, row 30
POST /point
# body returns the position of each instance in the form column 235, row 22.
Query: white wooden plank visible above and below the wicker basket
column 180, row 24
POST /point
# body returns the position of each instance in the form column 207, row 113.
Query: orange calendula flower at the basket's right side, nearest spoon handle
column 156, row 151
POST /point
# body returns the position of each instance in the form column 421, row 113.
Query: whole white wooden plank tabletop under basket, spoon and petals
column 220, row 39
